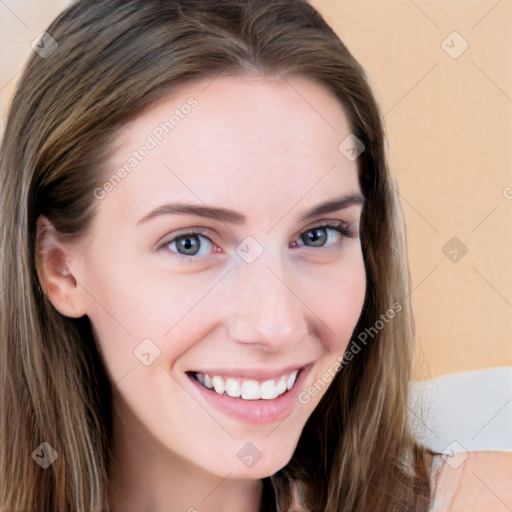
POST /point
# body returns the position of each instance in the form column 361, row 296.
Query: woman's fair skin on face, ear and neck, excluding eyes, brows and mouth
column 269, row 150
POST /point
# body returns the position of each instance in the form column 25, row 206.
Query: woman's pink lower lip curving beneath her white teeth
column 260, row 411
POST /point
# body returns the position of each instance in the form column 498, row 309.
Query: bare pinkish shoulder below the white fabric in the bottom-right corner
column 473, row 481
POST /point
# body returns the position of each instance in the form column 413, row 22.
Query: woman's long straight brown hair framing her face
column 111, row 60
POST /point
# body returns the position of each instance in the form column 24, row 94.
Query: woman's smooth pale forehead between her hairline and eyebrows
column 255, row 144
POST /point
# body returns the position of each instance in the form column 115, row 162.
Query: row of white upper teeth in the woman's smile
column 248, row 389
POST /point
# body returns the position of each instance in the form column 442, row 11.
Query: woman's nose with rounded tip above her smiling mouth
column 266, row 310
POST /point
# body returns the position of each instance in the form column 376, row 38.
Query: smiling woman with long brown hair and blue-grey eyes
column 203, row 270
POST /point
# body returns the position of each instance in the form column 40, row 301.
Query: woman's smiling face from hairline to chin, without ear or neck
column 253, row 291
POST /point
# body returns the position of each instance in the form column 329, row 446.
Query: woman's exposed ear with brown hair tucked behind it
column 54, row 260
